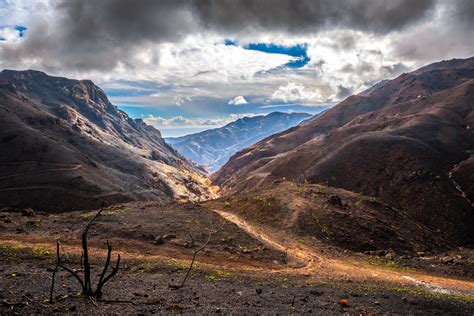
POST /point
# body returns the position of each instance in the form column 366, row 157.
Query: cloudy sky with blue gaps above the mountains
column 189, row 65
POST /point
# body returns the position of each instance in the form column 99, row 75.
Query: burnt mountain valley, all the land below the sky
column 365, row 208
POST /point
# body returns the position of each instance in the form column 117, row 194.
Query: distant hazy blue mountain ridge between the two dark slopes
column 212, row 148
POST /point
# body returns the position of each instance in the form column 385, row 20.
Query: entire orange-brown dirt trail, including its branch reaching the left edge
column 303, row 259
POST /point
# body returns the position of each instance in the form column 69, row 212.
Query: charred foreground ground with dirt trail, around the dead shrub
column 246, row 268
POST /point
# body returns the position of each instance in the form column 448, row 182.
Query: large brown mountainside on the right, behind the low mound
column 408, row 142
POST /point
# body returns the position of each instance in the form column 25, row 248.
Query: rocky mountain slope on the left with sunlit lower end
column 64, row 146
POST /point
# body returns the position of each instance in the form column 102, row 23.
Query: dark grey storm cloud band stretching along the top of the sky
column 101, row 34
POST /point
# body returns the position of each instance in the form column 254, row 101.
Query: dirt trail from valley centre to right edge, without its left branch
column 317, row 264
